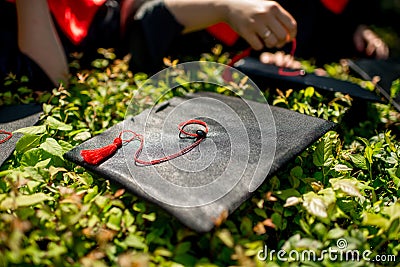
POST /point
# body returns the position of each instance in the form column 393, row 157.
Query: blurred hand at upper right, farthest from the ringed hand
column 365, row 40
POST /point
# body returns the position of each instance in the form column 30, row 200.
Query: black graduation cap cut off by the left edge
column 13, row 118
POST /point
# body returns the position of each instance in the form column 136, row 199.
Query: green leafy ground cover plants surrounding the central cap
column 340, row 194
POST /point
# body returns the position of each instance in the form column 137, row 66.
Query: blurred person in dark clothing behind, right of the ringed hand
column 329, row 30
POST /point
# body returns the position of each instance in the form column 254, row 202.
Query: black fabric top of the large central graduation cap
column 283, row 135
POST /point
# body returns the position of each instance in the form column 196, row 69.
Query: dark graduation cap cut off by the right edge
column 387, row 70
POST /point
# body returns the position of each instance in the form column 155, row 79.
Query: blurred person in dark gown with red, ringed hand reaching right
column 37, row 36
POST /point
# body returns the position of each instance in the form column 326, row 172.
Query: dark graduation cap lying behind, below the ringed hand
column 257, row 70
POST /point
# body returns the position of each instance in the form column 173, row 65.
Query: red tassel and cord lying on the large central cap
column 96, row 156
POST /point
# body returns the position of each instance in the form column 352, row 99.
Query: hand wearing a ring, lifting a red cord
column 260, row 22
